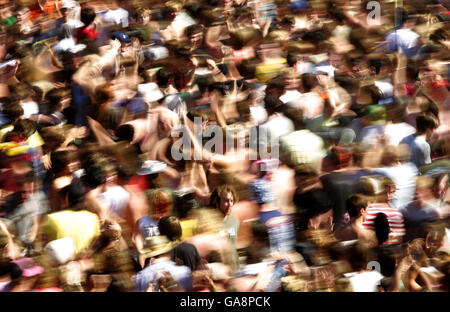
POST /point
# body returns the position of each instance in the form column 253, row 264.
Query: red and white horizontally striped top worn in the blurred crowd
column 395, row 219
